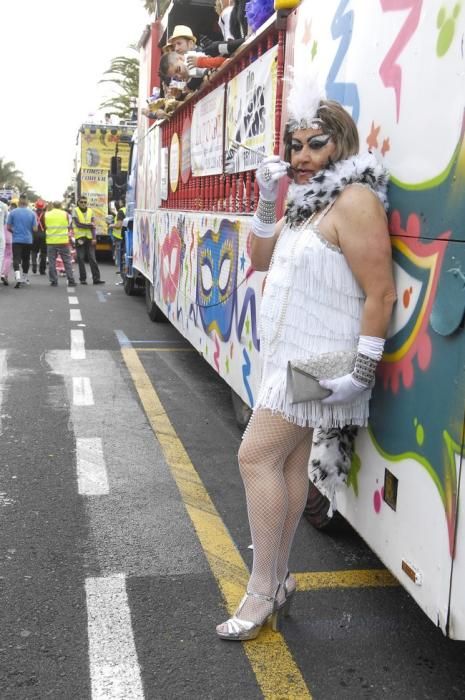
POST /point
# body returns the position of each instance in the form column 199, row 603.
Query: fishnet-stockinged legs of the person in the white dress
column 273, row 460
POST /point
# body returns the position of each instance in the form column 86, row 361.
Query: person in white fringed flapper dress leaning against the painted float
column 329, row 293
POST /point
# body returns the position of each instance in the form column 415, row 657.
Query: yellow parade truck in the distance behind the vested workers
column 102, row 162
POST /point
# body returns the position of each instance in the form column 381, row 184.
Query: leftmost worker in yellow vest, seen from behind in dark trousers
column 57, row 225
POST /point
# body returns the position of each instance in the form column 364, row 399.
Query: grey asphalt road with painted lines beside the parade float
column 109, row 589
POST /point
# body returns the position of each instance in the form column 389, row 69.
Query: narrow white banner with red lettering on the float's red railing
column 207, row 134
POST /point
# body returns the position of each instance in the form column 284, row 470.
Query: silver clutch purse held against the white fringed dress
column 303, row 375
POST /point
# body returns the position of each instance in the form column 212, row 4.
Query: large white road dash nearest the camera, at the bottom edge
column 114, row 667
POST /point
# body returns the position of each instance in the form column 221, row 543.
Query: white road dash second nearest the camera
column 91, row 469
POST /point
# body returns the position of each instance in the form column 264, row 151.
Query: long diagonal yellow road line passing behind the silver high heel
column 276, row 671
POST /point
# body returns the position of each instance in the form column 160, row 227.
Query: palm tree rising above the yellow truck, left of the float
column 124, row 75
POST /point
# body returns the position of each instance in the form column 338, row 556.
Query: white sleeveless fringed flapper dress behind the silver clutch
column 311, row 304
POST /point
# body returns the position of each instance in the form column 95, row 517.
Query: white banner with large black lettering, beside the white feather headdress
column 250, row 113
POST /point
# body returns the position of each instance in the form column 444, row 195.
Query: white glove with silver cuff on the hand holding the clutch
column 351, row 386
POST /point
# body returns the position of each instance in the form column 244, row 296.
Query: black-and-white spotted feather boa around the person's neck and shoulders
column 366, row 169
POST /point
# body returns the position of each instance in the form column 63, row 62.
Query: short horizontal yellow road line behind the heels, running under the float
column 365, row 578
